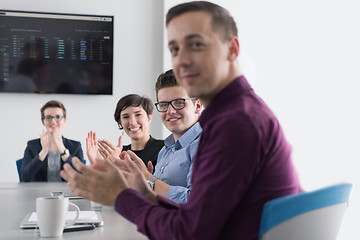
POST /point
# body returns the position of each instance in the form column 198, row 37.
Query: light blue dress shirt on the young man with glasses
column 174, row 164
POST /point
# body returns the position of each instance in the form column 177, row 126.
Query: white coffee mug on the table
column 51, row 214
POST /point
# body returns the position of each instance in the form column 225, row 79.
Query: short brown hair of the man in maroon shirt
column 223, row 22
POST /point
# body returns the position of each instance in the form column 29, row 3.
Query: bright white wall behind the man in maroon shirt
column 302, row 58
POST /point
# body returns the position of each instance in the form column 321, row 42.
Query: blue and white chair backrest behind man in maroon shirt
column 315, row 215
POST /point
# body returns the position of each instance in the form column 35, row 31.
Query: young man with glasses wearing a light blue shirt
column 179, row 113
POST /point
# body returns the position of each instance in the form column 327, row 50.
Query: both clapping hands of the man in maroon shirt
column 104, row 184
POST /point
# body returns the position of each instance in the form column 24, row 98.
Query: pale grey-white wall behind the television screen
column 137, row 63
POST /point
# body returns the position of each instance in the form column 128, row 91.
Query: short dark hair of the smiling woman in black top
column 132, row 100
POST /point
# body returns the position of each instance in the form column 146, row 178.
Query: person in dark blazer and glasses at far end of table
column 44, row 157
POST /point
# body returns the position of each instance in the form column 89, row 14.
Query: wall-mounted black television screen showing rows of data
column 56, row 53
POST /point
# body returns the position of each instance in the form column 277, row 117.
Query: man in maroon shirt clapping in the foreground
column 243, row 158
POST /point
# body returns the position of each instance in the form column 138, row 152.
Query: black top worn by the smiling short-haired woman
column 150, row 152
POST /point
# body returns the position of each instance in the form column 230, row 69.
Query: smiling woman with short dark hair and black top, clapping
column 133, row 114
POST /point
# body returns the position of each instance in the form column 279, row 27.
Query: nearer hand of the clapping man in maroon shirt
column 101, row 185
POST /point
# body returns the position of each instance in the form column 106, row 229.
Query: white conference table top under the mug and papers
column 18, row 199
